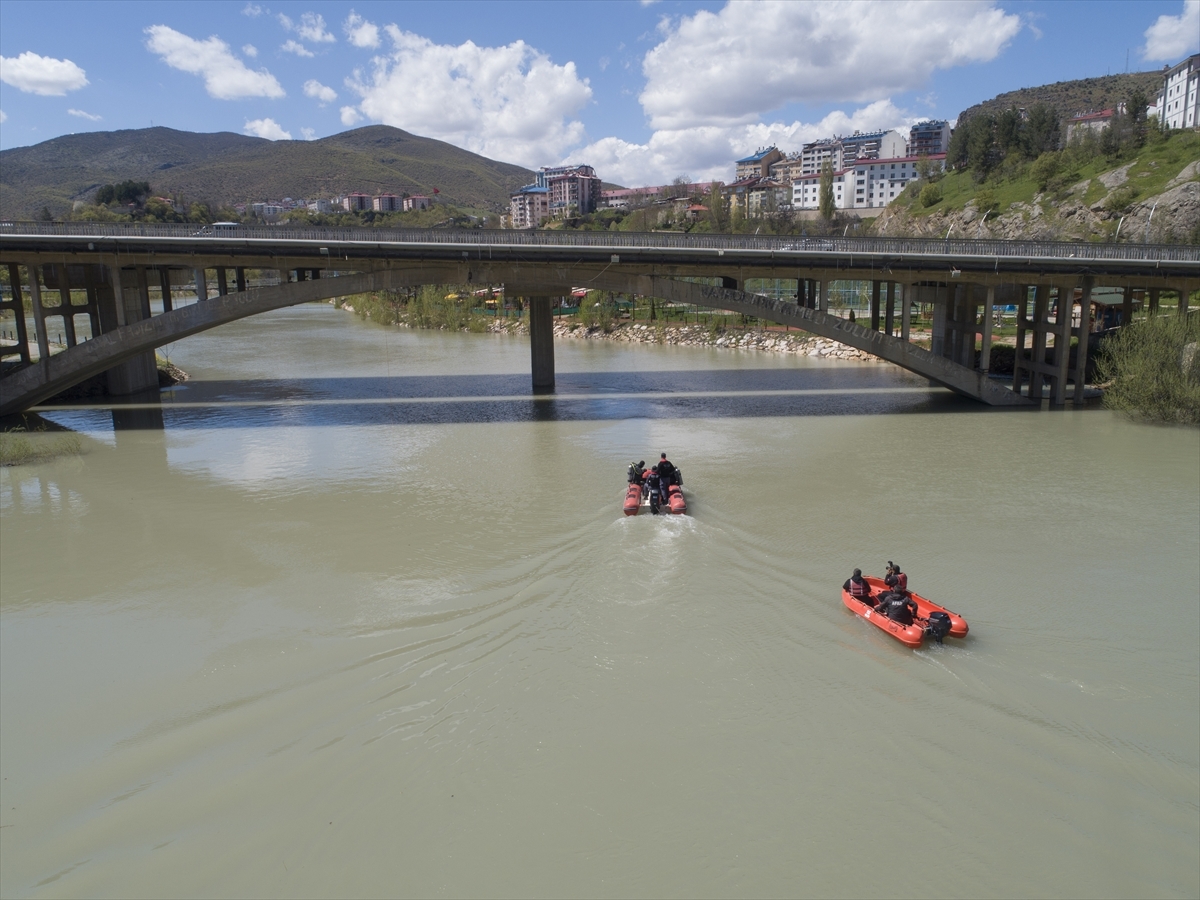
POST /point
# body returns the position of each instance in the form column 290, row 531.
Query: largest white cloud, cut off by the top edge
column 733, row 67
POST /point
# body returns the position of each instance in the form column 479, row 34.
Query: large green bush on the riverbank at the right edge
column 1154, row 370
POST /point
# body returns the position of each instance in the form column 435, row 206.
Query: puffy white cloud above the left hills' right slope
column 507, row 103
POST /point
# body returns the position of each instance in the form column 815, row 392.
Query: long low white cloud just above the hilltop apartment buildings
column 707, row 152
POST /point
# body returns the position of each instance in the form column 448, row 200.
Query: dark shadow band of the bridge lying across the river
column 581, row 397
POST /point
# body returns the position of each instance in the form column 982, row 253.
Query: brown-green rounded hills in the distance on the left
column 229, row 169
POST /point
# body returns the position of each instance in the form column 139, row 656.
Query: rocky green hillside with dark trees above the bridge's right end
column 1009, row 178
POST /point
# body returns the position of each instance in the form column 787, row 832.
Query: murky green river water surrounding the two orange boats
column 347, row 627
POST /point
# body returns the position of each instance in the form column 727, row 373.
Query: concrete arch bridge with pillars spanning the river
column 119, row 269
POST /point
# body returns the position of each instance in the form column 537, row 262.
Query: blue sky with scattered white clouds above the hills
column 645, row 92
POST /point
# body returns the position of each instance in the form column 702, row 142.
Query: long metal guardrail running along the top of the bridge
column 963, row 249
